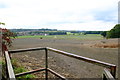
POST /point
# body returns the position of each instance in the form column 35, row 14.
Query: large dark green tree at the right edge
column 114, row 32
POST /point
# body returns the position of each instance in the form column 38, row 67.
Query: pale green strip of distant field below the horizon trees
column 81, row 37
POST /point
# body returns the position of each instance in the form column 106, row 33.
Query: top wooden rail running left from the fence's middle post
column 24, row 50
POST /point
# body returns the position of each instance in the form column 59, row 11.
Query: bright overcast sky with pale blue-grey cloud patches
column 59, row 14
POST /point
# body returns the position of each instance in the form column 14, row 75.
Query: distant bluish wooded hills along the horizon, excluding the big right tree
column 51, row 32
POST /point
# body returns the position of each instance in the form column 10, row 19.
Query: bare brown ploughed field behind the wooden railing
column 68, row 67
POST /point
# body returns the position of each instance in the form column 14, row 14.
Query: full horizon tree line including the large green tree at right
column 113, row 33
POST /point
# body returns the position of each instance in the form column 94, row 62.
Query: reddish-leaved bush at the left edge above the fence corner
column 6, row 37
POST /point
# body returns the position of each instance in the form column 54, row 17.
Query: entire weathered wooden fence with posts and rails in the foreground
column 108, row 74
